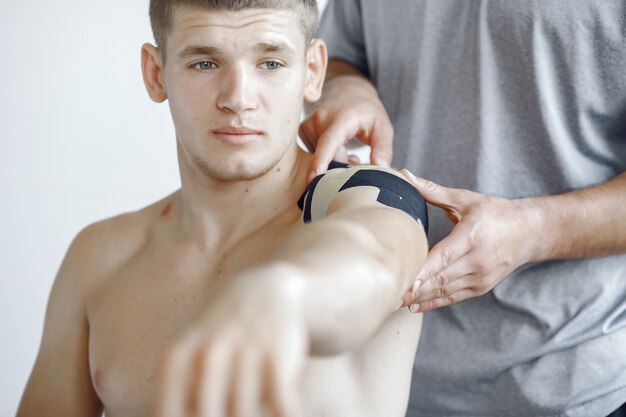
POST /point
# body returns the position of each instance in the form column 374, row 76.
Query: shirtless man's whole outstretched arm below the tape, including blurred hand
column 327, row 291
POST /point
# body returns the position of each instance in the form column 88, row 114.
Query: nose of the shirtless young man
column 237, row 91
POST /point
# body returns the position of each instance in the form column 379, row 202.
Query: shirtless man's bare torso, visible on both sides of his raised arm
column 137, row 308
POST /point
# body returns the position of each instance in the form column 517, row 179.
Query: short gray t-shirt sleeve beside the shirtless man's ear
column 342, row 29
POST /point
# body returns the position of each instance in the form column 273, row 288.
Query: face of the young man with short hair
column 235, row 84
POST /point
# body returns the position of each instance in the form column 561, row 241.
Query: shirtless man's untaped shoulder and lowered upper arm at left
column 60, row 383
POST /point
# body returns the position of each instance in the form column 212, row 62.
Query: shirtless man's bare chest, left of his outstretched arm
column 138, row 312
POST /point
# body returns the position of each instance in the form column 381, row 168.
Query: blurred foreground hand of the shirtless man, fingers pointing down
column 243, row 357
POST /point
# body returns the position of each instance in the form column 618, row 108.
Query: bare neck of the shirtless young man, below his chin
column 214, row 212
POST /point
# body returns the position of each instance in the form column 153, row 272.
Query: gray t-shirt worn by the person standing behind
column 510, row 98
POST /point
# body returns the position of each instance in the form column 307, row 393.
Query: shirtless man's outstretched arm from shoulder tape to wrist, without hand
column 363, row 249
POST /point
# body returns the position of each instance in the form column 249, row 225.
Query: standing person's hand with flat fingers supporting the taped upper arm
column 491, row 238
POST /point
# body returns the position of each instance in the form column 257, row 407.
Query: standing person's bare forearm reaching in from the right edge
column 583, row 223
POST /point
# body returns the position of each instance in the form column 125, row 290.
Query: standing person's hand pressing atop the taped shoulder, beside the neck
column 350, row 107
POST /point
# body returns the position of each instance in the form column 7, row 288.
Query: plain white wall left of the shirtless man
column 79, row 141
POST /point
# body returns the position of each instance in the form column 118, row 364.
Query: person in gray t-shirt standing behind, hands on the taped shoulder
column 524, row 103
